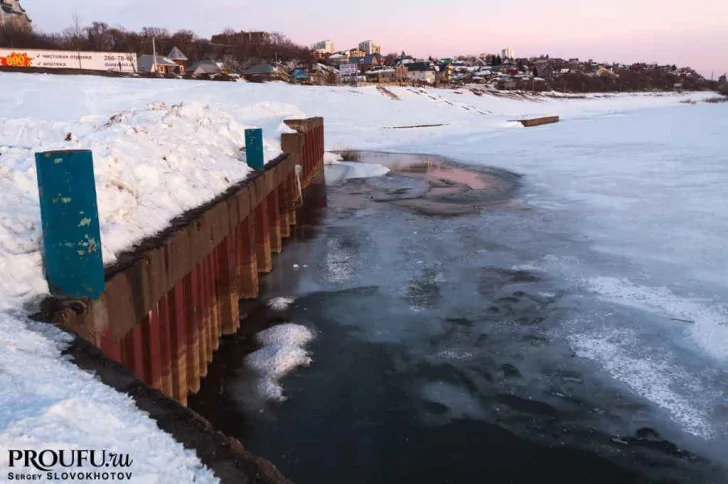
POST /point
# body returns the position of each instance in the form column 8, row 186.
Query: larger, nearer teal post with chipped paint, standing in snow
column 71, row 238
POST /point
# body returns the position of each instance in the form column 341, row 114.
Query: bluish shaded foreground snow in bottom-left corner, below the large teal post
column 49, row 403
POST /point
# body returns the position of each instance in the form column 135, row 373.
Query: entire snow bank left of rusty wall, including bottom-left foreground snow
column 152, row 163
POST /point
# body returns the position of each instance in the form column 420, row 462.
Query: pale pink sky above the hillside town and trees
column 691, row 33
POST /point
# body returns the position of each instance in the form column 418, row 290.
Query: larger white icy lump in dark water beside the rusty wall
column 282, row 351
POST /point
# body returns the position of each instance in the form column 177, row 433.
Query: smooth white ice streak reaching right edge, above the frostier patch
column 708, row 319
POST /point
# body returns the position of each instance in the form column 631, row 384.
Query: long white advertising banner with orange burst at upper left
column 62, row 59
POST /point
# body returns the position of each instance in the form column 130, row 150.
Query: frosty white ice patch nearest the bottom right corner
column 648, row 375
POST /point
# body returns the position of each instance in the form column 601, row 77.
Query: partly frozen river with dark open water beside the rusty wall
column 578, row 329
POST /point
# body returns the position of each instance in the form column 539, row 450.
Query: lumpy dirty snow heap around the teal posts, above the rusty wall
column 150, row 165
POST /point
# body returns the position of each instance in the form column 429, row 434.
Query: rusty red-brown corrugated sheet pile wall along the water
column 165, row 309
